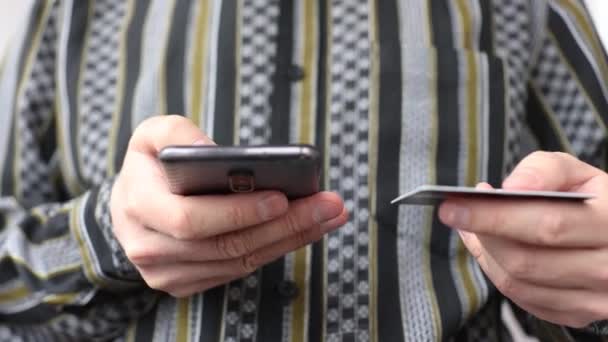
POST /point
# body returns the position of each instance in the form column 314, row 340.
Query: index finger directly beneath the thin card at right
column 535, row 222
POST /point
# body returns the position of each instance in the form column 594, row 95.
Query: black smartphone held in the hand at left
column 196, row 170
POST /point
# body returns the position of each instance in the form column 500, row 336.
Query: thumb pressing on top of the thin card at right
column 550, row 171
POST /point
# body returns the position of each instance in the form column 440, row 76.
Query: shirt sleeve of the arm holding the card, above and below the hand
column 568, row 105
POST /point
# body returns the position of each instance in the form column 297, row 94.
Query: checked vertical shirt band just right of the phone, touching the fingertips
column 347, row 302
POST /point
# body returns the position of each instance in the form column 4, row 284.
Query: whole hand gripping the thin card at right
column 549, row 257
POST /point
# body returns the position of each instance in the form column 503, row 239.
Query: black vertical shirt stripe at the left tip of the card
column 389, row 318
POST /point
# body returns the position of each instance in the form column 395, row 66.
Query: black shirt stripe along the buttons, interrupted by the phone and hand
column 270, row 306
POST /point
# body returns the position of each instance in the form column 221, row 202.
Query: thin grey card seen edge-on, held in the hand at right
column 435, row 194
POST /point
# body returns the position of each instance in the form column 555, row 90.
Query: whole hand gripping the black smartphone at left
column 187, row 244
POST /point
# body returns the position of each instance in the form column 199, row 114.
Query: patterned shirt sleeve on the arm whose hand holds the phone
column 60, row 265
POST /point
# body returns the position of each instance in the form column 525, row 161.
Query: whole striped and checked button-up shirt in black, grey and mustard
column 396, row 93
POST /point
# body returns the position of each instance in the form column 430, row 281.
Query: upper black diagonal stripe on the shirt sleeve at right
column 571, row 50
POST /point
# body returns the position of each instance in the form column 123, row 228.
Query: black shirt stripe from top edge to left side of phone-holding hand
column 132, row 60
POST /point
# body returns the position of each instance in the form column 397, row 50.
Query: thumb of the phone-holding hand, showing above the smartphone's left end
column 157, row 132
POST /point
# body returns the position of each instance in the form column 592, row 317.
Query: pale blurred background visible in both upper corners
column 10, row 11
